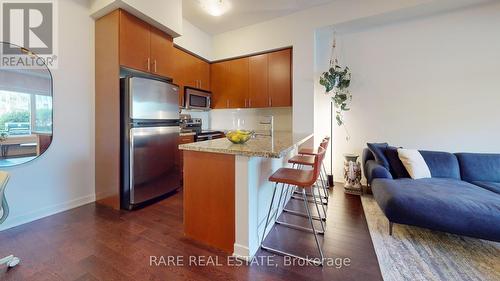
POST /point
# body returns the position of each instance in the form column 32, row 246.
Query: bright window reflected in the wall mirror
column 24, row 113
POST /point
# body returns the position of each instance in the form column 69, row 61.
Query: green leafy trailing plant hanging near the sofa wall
column 336, row 82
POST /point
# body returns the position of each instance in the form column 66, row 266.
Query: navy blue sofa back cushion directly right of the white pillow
column 442, row 164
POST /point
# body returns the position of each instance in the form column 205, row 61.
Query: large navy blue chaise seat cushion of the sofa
column 440, row 204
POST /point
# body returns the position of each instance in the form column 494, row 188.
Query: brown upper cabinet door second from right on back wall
column 258, row 95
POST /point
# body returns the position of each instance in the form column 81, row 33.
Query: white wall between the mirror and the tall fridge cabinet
column 63, row 177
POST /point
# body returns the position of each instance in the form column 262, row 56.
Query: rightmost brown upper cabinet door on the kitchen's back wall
column 280, row 72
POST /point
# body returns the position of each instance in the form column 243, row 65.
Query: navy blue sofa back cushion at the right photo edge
column 479, row 167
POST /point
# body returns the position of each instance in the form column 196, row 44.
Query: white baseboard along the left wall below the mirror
column 46, row 211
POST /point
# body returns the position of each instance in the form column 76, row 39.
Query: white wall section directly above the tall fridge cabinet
column 164, row 14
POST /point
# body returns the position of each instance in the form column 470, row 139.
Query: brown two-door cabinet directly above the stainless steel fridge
column 144, row 47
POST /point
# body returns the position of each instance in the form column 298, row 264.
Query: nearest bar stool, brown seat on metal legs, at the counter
column 303, row 179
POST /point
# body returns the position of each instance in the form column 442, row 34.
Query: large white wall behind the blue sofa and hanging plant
column 428, row 83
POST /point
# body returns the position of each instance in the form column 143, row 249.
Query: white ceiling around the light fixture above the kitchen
column 243, row 13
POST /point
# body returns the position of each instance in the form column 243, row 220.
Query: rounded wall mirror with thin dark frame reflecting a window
column 25, row 105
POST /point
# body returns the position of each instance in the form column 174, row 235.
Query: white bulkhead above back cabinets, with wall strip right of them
column 297, row 30
